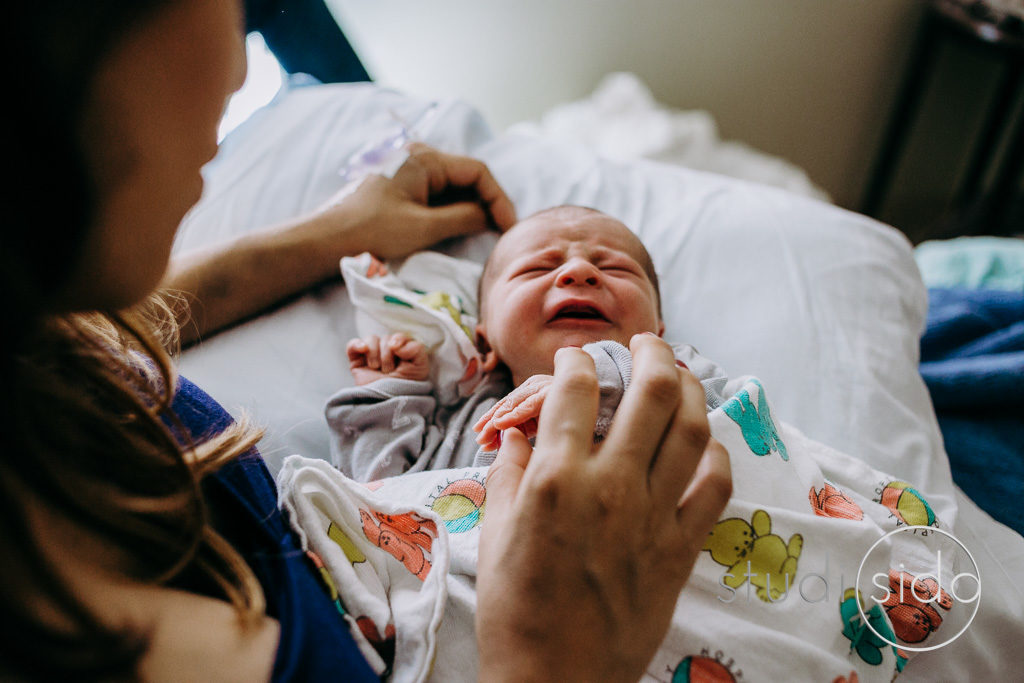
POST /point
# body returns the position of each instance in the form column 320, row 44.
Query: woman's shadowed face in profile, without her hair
column 148, row 130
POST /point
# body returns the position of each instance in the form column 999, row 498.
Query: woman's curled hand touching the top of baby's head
column 434, row 196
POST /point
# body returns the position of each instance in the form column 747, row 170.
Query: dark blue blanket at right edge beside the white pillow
column 972, row 359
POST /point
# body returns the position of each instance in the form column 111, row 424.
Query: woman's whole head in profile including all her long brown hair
column 119, row 103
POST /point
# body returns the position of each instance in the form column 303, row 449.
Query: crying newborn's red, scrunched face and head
column 565, row 278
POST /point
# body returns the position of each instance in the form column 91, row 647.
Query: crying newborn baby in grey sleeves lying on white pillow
column 565, row 277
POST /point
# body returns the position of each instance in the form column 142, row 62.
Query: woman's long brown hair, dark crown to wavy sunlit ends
column 86, row 397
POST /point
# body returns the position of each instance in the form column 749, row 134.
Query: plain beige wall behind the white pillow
column 810, row 80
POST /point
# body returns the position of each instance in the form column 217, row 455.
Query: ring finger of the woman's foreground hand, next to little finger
column 682, row 446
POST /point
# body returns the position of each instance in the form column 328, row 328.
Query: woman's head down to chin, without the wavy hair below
column 124, row 100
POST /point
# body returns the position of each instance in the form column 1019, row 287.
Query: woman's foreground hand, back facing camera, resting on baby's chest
column 584, row 549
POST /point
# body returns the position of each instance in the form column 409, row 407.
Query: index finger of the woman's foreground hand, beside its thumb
column 567, row 424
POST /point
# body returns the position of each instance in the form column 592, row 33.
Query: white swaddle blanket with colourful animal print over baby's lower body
column 773, row 597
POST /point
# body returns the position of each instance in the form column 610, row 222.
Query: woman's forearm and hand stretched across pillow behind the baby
column 390, row 218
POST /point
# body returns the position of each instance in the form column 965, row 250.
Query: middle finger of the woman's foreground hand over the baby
column 649, row 406
